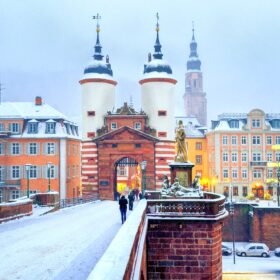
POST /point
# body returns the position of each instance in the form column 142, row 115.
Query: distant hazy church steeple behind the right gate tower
column 195, row 101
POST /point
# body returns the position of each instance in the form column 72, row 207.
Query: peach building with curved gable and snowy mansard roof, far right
column 240, row 152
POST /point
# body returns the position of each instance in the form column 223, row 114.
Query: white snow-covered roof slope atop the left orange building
column 28, row 110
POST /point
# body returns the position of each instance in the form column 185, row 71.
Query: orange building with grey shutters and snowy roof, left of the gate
column 39, row 151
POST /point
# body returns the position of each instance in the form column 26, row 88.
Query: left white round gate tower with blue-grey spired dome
column 98, row 92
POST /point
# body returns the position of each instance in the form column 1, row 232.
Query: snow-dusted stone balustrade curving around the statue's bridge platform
column 211, row 206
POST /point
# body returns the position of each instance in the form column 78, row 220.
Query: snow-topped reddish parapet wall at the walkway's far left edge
column 15, row 210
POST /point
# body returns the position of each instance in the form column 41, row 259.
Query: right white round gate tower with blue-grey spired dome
column 158, row 93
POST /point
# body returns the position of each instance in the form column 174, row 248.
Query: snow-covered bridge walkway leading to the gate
column 61, row 245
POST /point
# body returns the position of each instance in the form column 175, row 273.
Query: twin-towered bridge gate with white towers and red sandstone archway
column 115, row 138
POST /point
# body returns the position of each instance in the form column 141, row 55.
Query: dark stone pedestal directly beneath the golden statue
column 183, row 171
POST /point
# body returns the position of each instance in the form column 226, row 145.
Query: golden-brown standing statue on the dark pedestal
column 181, row 148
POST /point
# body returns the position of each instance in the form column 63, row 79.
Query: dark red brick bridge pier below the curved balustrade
column 183, row 249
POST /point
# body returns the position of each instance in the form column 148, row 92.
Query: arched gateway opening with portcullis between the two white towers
column 127, row 176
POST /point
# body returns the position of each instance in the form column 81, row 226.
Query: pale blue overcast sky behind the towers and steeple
column 45, row 46
